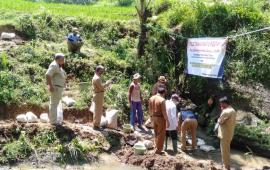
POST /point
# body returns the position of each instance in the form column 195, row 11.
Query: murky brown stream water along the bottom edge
column 110, row 162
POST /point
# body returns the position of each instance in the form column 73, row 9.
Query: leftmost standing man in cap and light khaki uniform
column 56, row 79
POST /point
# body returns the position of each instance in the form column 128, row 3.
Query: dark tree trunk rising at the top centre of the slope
column 143, row 12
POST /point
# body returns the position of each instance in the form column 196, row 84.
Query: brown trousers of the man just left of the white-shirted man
column 159, row 124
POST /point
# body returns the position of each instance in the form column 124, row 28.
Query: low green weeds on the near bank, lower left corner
column 74, row 152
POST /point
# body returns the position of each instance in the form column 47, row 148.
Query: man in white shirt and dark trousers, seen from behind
column 172, row 114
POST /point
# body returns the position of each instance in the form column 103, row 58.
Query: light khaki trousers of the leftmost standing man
column 55, row 99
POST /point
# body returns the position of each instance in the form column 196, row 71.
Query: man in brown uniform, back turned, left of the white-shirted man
column 157, row 110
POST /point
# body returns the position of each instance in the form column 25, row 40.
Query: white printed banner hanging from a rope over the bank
column 206, row 56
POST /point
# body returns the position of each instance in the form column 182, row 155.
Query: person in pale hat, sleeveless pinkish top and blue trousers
column 135, row 101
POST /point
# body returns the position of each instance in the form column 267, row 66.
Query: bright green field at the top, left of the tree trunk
column 97, row 11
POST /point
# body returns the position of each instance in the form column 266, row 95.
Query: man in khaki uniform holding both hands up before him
column 98, row 98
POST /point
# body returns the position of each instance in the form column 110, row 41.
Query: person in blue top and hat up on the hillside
column 74, row 41
